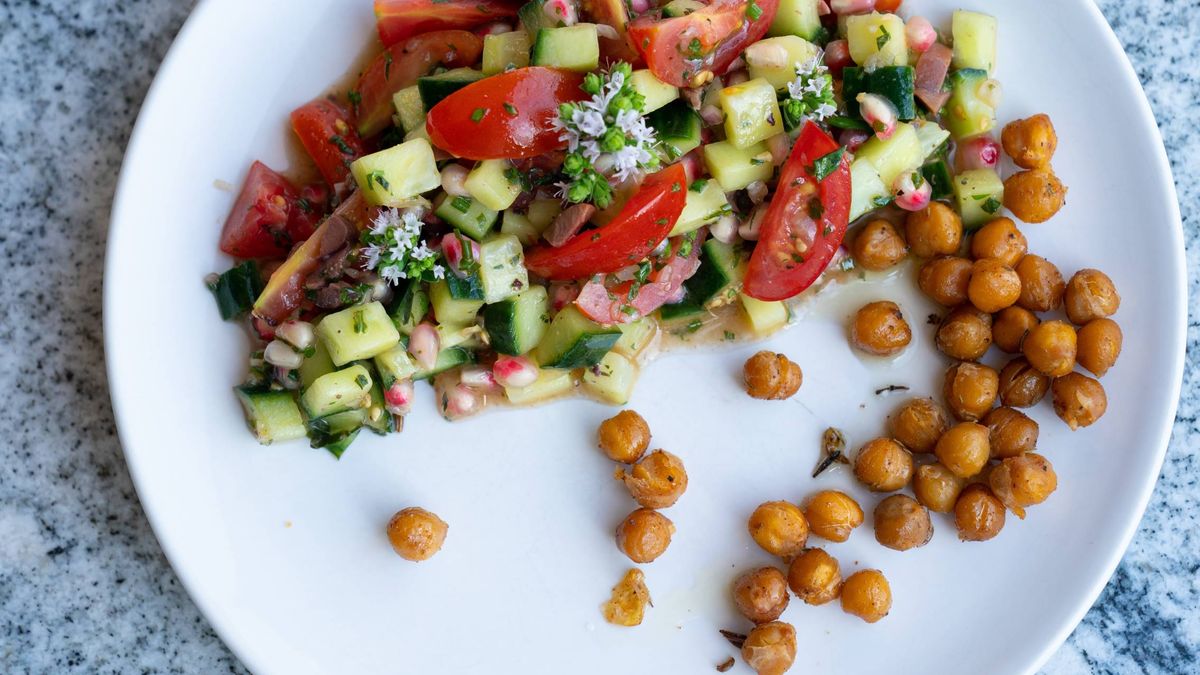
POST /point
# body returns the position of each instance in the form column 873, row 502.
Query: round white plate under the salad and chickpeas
column 284, row 551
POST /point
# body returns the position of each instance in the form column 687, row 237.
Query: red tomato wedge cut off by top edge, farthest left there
column 399, row 20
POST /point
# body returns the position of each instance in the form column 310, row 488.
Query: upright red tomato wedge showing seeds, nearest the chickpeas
column 806, row 223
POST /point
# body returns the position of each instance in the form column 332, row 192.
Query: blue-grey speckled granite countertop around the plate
column 83, row 584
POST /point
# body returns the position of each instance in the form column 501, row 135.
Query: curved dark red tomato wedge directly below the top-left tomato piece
column 401, row 64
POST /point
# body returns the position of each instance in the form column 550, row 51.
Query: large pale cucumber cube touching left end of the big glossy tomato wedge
column 392, row 177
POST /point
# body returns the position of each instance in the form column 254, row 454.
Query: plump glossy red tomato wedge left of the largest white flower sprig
column 508, row 116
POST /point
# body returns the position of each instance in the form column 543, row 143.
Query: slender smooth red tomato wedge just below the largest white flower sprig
column 643, row 224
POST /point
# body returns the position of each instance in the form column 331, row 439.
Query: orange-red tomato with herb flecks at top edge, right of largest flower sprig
column 680, row 50
